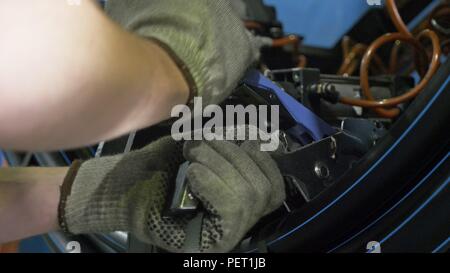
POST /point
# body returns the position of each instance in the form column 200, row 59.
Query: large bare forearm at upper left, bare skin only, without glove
column 73, row 77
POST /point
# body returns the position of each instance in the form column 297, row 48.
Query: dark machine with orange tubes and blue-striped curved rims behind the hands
column 365, row 148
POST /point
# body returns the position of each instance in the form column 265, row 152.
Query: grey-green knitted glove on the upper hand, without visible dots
column 206, row 39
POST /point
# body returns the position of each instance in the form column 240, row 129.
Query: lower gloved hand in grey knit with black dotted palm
column 235, row 185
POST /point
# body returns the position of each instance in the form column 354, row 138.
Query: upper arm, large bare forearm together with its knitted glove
column 205, row 39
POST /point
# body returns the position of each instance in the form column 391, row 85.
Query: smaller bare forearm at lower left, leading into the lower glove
column 28, row 201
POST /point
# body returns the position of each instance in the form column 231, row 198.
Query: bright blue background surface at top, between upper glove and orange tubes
column 321, row 22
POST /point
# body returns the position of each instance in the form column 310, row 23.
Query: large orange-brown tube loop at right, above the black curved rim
column 370, row 102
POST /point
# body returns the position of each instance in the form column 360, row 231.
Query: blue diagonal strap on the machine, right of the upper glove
column 307, row 122
